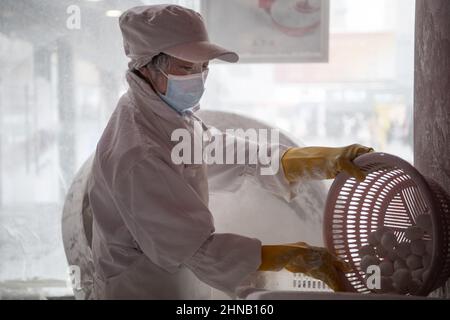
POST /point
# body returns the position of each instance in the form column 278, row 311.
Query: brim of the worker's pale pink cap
column 201, row 51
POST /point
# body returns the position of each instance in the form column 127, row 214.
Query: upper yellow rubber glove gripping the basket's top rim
column 322, row 162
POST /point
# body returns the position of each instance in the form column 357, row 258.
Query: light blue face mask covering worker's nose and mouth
column 184, row 92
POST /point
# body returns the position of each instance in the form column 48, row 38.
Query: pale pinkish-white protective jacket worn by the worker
column 153, row 234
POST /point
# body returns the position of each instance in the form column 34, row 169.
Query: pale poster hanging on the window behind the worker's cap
column 270, row 31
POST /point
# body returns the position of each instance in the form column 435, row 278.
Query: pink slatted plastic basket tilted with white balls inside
column 393, row 194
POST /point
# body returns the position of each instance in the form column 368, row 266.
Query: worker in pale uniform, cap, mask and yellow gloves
column 152, row 230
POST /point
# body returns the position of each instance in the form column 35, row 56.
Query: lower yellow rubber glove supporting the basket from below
column 300, row 257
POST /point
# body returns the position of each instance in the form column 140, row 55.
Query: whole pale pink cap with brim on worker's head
column 171, row 29
